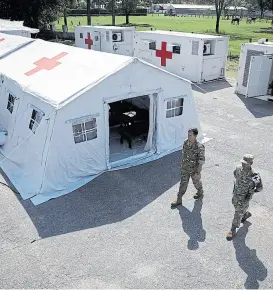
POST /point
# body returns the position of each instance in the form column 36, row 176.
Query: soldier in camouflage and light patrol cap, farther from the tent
column 246, row 183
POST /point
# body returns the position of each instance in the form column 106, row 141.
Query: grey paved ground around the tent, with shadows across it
column 119, row 231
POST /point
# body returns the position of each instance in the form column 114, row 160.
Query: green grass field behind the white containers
column 238, row 33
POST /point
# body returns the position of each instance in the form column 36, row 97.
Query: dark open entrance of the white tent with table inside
column 129, row 124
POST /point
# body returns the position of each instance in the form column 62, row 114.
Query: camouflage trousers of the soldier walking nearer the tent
column 196, row 180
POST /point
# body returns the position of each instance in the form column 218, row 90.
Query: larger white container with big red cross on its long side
column 196, row 57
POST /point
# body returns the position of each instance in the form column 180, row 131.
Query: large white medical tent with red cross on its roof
column 57, row 104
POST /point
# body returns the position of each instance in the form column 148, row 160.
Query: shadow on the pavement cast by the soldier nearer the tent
column 192, row 224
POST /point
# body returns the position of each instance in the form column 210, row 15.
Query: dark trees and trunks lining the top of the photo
column 38, row 13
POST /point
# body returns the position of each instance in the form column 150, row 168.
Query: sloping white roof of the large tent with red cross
column 72, row 70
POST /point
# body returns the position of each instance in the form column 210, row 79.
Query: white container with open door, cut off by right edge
column 255, row 72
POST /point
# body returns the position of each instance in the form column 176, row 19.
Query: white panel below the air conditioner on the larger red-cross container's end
column 212, row 69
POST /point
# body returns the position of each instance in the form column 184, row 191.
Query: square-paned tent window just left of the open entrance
column 85, row 130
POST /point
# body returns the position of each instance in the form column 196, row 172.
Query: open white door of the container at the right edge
column 259, row 75
